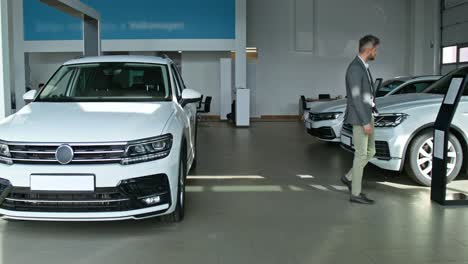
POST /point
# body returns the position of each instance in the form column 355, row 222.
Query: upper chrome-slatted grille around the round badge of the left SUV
column 28, row 153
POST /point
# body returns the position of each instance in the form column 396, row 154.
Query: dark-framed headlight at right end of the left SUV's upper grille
column 147, row 150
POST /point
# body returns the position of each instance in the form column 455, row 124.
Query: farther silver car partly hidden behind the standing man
column 325, row 121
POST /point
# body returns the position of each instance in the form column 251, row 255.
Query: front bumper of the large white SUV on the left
column 118, row 194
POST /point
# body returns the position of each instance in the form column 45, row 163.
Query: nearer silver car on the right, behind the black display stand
column 404, row 132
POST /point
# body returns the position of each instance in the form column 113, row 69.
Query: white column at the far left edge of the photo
column 5, row 80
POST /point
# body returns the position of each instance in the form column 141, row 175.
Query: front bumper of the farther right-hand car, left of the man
column 328, row 131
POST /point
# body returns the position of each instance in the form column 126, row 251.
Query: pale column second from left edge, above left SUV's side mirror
column 19, row 70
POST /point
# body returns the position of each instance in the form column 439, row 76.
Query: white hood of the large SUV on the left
column 86, row 122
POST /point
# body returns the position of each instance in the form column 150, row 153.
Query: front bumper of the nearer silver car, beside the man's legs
column 390, row 146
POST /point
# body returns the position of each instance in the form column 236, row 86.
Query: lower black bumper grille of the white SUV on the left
column 127, row 196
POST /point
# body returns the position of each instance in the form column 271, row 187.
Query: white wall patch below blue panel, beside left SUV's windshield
column 43, row 65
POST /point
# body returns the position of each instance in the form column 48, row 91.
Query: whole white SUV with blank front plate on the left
column 107, row 138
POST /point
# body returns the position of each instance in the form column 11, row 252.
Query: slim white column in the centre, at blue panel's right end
column 242, row 100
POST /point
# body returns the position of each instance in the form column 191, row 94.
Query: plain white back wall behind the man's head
column 284, row 74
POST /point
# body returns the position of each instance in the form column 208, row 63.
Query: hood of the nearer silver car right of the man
column 401, row 103
